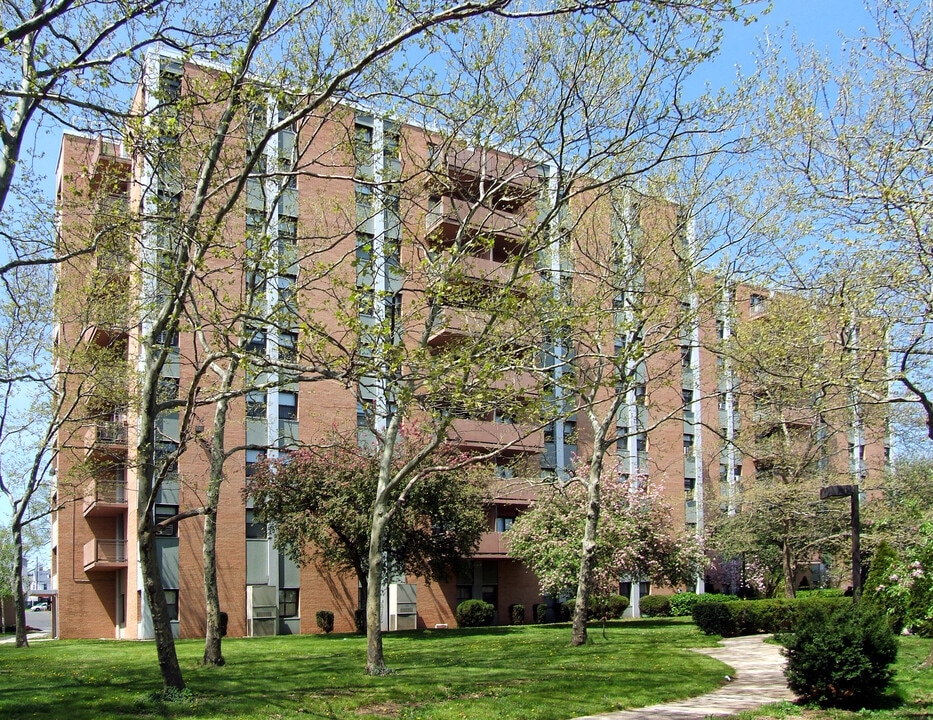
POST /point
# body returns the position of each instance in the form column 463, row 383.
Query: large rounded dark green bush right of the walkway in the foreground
column 840, row 656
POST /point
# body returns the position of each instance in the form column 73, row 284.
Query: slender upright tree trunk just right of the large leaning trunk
column 213, row 654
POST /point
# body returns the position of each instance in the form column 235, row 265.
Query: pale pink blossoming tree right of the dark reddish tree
column 635, row 536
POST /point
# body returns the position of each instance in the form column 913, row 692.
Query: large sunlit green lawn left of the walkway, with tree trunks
column 527, row 673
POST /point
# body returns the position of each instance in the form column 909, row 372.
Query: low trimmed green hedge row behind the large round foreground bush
column 750, row 617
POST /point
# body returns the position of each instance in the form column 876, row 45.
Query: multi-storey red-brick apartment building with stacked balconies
column 353, row 207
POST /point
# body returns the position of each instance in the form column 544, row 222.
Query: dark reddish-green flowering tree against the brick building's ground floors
column 318, row 503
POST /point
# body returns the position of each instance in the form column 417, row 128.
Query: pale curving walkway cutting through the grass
column 758, row 680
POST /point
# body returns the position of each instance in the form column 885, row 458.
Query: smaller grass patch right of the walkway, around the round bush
column 910, row 698
